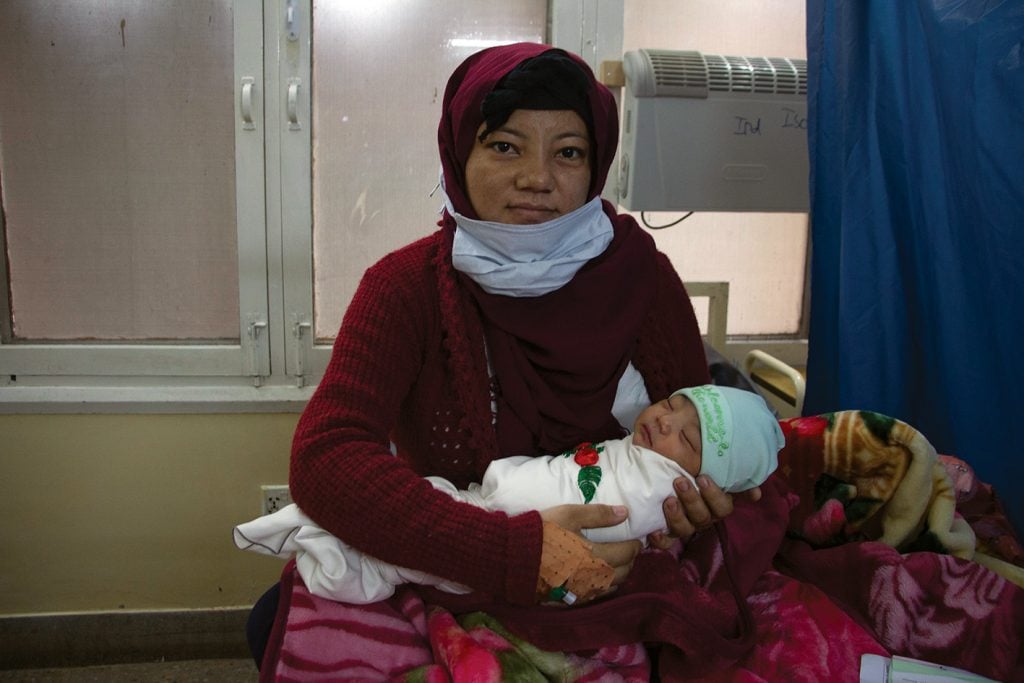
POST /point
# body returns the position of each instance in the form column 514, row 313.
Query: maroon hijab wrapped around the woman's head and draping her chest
column 558, row 359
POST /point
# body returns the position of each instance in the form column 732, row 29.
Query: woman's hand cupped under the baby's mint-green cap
column 694, row 510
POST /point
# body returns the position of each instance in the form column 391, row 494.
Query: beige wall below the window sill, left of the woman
column 106, row 513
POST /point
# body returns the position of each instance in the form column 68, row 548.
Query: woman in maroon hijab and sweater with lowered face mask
column 535, row 319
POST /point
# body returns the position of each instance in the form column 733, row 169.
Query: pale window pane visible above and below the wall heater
column 763, row 257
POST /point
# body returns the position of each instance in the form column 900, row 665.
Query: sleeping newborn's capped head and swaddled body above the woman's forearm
column 729, row 435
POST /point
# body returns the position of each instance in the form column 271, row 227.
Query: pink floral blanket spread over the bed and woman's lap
column 756, row 600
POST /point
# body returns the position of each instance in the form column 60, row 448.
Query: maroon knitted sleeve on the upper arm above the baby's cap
column 670, row 353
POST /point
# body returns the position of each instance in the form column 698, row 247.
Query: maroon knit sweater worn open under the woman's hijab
column 409, row 367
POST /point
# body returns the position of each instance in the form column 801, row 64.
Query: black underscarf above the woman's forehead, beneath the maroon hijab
column 549, row 81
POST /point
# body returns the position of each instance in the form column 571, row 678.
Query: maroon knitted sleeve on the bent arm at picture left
column 345, row 477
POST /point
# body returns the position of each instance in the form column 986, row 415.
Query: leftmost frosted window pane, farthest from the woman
column 117, row 160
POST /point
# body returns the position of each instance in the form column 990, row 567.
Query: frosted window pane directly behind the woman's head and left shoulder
column 379, row 76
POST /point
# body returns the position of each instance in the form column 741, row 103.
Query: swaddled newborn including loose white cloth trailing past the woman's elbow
column 729, row 435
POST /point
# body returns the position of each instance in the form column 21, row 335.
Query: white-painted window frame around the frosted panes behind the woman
column 276, row 365
